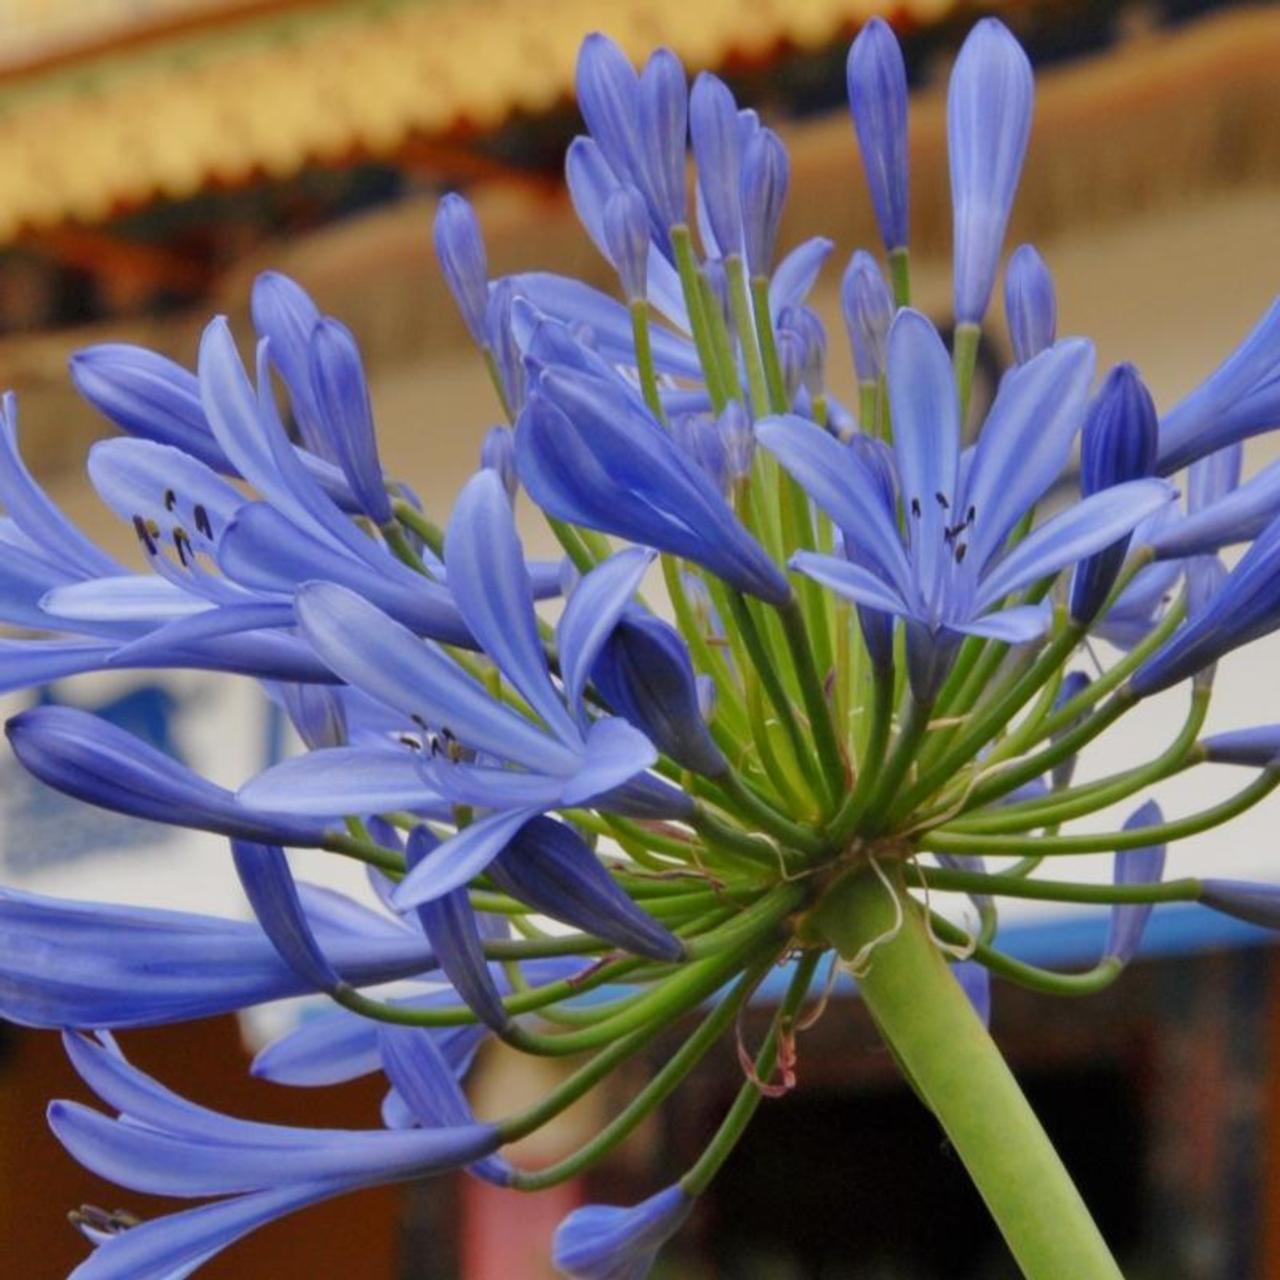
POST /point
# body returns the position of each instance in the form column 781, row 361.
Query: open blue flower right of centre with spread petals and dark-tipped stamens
column 953, row 577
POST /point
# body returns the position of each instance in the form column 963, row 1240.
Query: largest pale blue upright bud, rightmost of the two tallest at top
column 989, row 124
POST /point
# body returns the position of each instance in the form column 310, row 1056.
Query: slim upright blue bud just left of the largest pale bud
column 877, row 99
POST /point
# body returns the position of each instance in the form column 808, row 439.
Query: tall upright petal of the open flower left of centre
column 487, row 572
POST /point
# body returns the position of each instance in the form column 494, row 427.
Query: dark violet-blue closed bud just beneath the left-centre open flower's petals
column 551, row 867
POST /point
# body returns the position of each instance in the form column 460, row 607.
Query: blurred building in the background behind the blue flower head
column 157, row 154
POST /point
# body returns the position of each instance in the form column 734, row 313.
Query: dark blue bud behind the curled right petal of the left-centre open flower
column 646, row 675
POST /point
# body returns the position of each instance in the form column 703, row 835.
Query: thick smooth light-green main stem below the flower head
column 956, row 1067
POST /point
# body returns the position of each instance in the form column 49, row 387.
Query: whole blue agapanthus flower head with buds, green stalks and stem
column 851, row 700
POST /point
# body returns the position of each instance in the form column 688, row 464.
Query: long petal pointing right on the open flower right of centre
column 1078, row 532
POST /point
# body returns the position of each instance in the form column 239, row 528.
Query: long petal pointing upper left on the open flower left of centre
column 418, row 679
